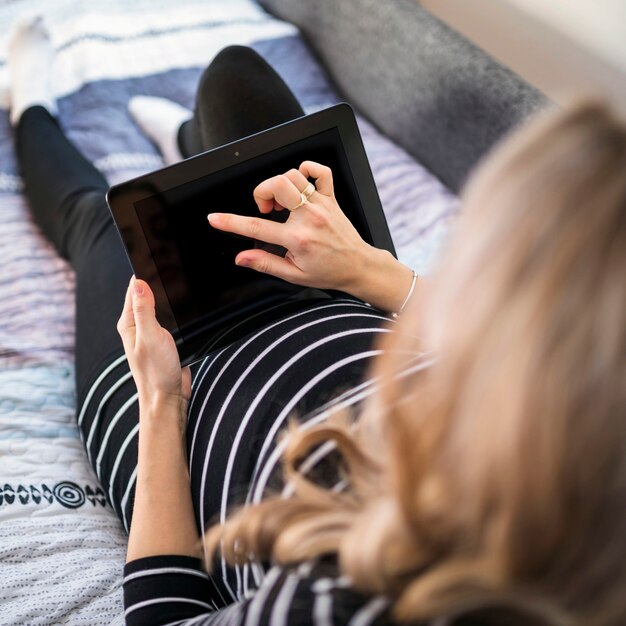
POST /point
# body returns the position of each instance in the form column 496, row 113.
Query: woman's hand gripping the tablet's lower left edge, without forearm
column 152, row 353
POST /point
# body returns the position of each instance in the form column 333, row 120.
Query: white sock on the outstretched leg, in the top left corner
column 29, row 63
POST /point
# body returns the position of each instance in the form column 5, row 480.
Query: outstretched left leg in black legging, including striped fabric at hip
column 66, row 194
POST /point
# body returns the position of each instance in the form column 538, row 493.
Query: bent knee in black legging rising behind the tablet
column 239, row 94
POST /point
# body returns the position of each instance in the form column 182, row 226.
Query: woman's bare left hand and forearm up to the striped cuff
column 163, row 519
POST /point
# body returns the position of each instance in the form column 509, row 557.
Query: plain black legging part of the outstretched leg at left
column 66, row 195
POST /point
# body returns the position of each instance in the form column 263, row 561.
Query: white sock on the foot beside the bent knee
column 160, row 119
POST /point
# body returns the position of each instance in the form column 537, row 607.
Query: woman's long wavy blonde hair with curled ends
column 496, row 478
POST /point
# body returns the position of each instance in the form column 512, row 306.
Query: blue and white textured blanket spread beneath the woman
column 61, row 546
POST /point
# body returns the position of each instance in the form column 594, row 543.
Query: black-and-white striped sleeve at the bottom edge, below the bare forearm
column 174, row 590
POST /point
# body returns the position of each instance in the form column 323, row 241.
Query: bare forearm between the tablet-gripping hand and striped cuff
column 163, row 519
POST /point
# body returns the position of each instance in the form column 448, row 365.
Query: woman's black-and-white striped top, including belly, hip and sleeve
column 309, row 364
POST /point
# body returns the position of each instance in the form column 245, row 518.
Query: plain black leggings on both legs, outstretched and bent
column 239, row 94
